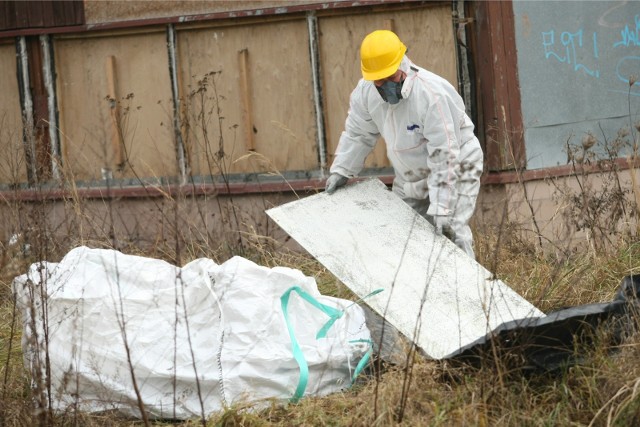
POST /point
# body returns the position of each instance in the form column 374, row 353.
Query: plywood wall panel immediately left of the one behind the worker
column 275, row 88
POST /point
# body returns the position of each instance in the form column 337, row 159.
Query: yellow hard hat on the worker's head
column 380, row 54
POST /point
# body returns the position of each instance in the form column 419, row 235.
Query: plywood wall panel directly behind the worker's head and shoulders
column 427, row 33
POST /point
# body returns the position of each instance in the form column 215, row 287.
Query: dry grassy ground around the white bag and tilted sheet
column 603, row 390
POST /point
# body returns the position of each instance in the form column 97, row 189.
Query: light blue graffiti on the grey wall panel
column 583, row 51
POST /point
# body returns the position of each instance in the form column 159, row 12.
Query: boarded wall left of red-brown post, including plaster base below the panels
column 246, row 115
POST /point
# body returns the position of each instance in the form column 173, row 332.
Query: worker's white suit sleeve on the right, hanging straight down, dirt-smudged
column 443, row 147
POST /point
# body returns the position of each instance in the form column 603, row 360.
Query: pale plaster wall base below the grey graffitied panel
column 592, row 208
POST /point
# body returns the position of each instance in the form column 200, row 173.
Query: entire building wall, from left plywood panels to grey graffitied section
column 246, row 114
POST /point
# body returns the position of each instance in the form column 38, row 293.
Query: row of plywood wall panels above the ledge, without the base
column 235, row 97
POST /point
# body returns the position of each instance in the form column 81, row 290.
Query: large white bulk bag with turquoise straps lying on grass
column 198, row 338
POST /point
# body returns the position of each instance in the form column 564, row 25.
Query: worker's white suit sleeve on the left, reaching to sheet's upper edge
column 358, row 138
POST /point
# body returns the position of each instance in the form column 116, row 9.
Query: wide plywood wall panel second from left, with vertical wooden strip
column 143, row 97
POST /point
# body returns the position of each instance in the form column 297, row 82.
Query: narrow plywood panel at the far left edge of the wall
column 13, row 168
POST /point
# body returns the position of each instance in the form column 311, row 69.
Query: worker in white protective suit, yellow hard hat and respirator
column 430, row 142
